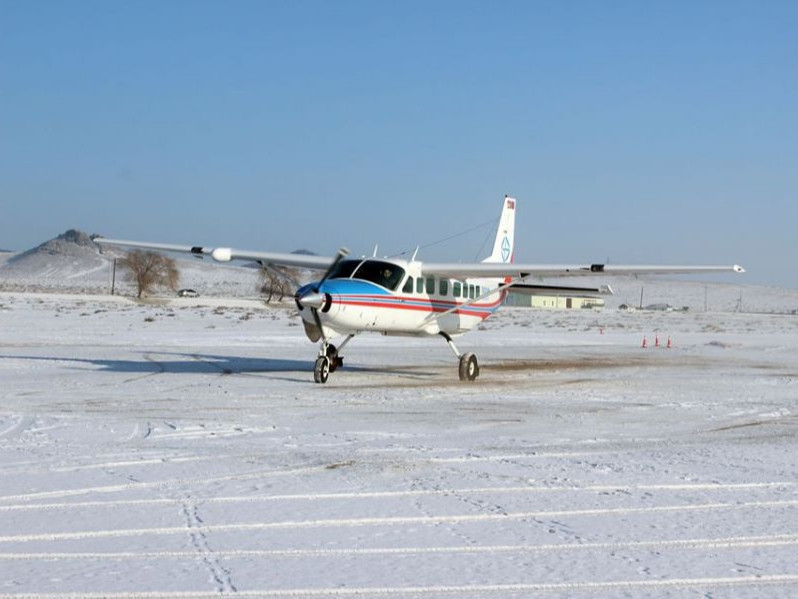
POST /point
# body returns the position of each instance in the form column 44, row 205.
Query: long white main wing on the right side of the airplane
column 527, row 271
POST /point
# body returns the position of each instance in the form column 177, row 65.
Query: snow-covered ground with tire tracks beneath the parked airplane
column 183, row 450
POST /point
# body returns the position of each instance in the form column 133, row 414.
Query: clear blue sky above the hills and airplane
column 654, row 131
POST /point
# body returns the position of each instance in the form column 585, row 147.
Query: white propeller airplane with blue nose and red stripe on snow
column 398, row 297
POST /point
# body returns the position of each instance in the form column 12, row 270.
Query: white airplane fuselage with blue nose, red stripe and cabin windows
column 393, row 297
